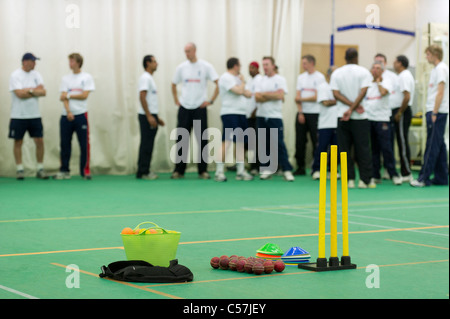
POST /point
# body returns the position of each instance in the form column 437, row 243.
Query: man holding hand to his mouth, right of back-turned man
column 376, row 104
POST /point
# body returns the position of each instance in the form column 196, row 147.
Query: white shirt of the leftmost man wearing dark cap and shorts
column 24, row 108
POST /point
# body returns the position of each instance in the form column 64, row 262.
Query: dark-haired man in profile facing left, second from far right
column 403, row 114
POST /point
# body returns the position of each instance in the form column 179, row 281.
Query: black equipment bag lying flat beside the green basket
column 142, row 271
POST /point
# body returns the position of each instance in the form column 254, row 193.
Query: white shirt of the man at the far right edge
column 438, row 74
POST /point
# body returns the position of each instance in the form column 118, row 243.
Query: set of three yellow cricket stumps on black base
column 333, row 263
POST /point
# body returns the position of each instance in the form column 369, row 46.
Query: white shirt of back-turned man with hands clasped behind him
column 349, row 80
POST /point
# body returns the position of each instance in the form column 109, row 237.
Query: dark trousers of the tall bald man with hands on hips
column 186, row 121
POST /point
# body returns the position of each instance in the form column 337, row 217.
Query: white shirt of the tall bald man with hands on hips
column 194, row 77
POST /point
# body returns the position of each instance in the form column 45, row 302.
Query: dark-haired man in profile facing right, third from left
column 148, row 118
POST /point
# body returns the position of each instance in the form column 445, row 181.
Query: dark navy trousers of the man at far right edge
column 435, row 157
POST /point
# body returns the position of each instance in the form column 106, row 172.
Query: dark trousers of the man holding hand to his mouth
column 380, row 133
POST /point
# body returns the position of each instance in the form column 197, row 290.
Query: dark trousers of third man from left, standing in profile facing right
column 146, row 146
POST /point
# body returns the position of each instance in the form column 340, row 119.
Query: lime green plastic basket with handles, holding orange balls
column 157, row 249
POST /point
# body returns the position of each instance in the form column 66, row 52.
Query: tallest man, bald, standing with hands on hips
column 194, row 74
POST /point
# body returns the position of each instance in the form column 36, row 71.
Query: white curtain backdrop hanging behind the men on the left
column 113, row 36
